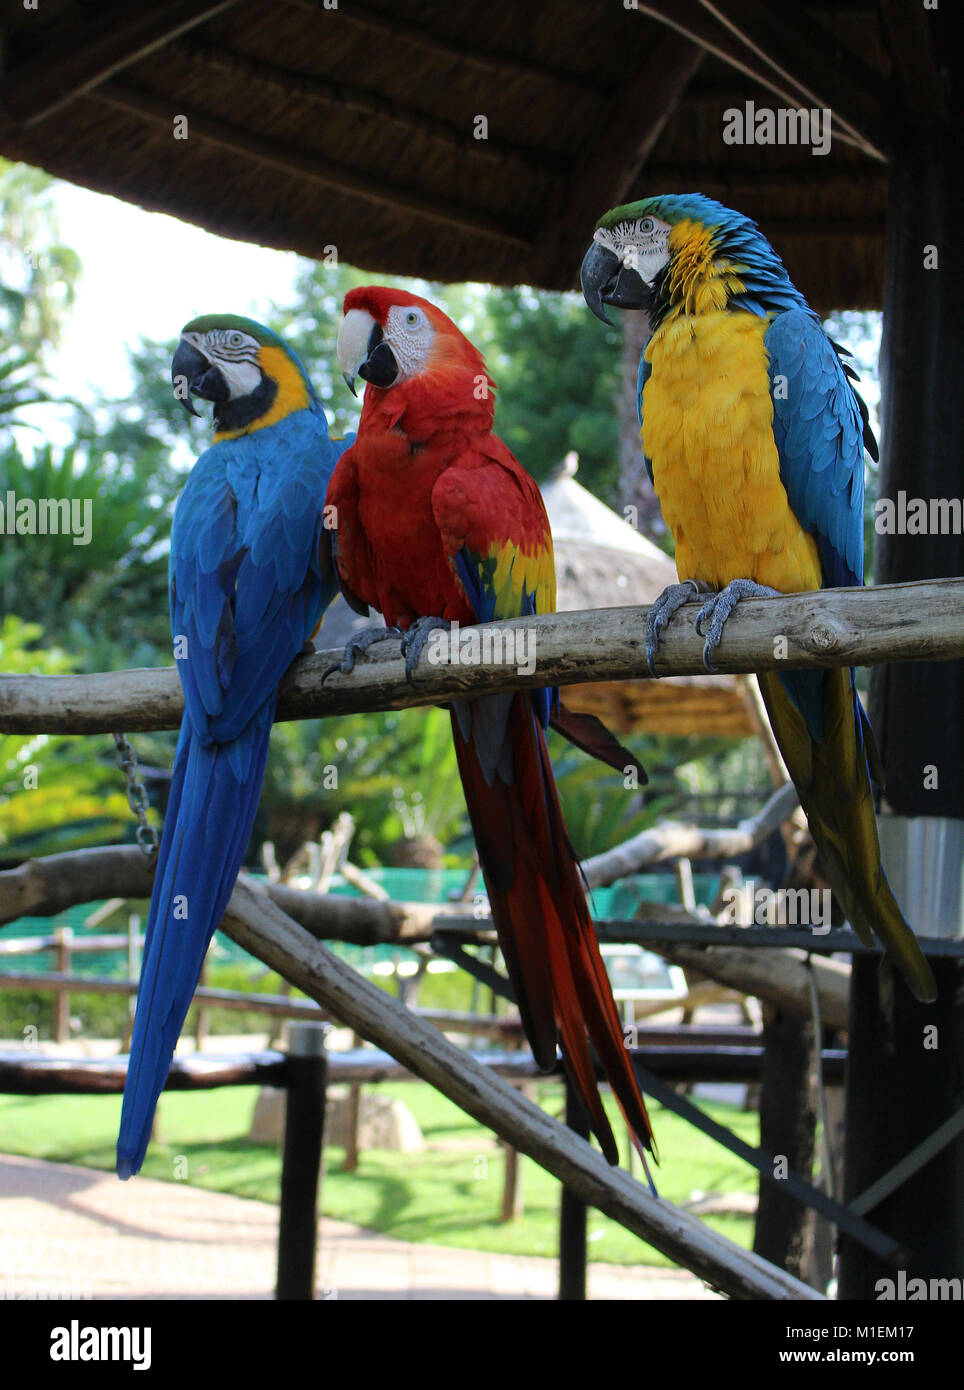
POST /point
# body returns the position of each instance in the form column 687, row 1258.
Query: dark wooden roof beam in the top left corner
column 81, row 55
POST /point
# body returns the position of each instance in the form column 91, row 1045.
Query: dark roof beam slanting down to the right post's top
column 788, row 62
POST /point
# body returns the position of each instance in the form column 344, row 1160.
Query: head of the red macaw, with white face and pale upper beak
column 391, row 337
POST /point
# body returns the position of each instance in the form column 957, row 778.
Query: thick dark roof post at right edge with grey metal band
column 904, row 1081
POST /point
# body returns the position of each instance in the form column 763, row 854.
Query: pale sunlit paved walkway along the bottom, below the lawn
column 78, row 1234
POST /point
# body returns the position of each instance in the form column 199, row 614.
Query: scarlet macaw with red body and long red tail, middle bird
column 435, row 522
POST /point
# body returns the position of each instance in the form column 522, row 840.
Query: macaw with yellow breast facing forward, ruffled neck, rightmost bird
column 755, row 440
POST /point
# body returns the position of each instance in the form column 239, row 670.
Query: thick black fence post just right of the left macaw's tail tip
column 305, row 1128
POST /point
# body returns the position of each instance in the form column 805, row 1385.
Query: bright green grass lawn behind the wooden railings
column 449, row 1195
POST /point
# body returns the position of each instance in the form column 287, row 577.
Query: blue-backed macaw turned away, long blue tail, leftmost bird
column 251, row 579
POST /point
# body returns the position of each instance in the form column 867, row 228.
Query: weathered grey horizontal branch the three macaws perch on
column 833, row 628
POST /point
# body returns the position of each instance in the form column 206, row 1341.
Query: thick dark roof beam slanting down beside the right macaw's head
column 634, row 124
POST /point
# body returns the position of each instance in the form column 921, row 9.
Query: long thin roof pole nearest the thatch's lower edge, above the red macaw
column 305, row 165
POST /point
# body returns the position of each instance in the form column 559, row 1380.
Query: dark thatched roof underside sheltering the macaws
column 356, row 127
